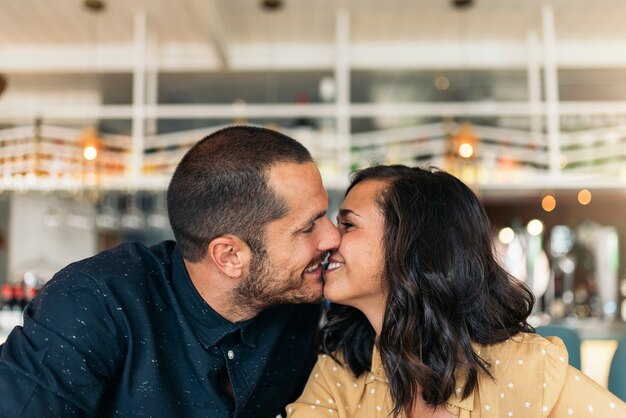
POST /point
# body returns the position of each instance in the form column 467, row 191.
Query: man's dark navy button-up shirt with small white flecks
column 125, row 333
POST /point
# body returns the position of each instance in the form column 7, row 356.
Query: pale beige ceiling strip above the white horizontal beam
column 28, row 22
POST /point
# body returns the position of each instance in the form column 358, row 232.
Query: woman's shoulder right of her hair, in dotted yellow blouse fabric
column 530, row 376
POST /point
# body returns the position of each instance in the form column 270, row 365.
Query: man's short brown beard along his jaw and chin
column 261, row 288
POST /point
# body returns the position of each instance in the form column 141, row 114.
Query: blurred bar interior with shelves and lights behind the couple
column 525, row 101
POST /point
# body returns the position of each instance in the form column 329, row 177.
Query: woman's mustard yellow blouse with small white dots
column 532, row 379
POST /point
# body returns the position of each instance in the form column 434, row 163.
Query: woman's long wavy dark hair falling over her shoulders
column 444, row 289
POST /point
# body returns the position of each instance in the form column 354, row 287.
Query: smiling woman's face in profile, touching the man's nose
column 354, row 274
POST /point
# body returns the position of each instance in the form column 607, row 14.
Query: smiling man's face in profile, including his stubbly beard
column 290, row 270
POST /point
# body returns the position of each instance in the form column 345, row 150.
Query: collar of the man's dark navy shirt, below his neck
column 209, row 326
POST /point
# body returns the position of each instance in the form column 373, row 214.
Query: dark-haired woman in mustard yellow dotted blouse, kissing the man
column 431, row 325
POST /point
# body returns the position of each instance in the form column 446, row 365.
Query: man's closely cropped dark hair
column 221, row 187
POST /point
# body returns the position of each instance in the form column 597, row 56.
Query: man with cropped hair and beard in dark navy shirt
column 214, row 325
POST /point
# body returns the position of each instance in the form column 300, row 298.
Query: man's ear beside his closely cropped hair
column 230, row 255
